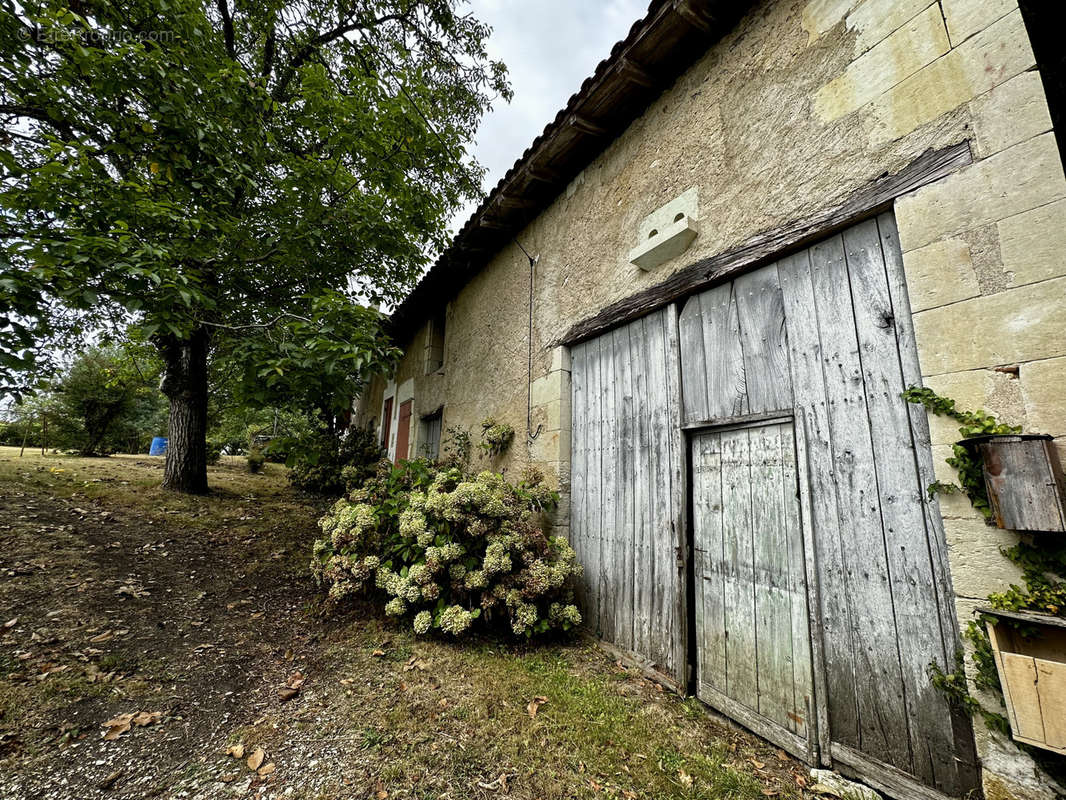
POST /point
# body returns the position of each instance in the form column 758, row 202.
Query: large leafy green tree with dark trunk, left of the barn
column 216, row 171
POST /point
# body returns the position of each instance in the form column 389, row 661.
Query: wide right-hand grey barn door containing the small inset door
column 822, row 340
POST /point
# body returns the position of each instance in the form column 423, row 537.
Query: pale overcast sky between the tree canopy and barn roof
column 551, row 47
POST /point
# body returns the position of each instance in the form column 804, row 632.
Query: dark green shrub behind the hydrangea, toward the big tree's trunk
column 329, row 466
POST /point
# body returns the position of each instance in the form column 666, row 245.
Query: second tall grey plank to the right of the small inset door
column 883, row 725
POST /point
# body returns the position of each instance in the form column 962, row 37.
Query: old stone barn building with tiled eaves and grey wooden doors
column 698, row 298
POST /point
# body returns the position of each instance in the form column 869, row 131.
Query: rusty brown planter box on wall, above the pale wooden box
column 1024, row 479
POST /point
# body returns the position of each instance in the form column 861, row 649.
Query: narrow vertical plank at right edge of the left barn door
column 679, row 495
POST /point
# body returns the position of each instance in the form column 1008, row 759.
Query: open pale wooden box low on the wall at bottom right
column 1032, row 671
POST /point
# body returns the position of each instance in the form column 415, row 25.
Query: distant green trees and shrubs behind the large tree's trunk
column 108, row 401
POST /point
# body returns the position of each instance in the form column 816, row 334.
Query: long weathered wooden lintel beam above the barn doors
column 877, row 197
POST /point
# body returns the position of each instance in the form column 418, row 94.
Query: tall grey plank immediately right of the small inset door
column 827, row 570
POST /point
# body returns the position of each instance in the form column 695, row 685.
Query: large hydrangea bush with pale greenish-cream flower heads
column 448, row 551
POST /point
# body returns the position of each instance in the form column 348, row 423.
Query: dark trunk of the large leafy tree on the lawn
column 185, row 386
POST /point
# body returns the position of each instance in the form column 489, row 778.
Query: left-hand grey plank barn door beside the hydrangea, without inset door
column 628, row 492
